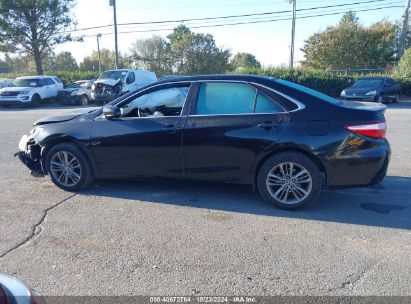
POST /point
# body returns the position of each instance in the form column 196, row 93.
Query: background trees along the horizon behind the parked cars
column 30, row 30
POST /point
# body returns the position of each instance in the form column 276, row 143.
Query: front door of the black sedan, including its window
column 146, row 139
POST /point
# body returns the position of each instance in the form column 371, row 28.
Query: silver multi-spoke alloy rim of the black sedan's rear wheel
column 289, row 183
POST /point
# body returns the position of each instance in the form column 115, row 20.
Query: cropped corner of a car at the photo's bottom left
column 15, row 291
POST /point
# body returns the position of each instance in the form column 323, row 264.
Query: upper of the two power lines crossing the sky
column 228, row 17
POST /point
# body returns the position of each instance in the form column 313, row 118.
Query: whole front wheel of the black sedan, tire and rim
column 67, row 156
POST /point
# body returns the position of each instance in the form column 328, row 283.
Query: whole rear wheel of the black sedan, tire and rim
column 274, row 190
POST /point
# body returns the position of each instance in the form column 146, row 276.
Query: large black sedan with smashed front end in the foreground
column 286, row 140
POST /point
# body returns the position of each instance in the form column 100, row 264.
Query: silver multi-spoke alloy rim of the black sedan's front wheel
column 65, row 168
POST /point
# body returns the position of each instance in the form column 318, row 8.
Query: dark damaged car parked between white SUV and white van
column 76, row 93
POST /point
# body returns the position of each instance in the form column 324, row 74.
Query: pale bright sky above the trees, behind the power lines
column 269, row 41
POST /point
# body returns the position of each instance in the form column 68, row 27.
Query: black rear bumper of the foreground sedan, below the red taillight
column 362, row 168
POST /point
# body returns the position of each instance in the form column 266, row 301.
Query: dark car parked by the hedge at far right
column 375, row 89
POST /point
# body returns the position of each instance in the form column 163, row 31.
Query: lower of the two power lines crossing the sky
column 248, row 22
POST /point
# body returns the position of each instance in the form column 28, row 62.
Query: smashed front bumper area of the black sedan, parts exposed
column 30, row 155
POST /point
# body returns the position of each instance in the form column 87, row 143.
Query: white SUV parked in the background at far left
column 30, row 90
